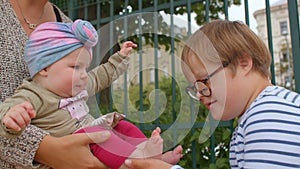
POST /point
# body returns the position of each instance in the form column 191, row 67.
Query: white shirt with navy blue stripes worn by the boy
column 268, row 133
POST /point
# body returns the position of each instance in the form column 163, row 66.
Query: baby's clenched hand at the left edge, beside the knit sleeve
column 19, row 116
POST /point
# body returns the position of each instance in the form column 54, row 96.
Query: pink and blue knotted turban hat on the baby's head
column 51, row 41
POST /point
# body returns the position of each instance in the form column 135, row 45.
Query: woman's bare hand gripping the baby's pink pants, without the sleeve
column 71, row 151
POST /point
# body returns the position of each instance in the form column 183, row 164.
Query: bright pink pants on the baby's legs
column 122, row 142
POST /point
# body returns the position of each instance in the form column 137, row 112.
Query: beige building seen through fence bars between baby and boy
column 142, row 64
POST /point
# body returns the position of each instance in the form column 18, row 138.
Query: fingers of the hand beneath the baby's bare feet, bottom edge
column 147, row 164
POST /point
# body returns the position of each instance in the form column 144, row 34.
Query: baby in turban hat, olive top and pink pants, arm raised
column 54, row 97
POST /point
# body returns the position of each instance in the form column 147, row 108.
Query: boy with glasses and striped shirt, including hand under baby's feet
column 228, row 67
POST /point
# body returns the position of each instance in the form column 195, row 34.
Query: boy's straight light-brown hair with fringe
column 227, row 41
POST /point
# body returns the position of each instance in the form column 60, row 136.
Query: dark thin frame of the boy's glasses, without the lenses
column 193, row 87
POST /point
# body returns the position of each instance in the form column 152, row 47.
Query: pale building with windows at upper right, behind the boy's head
column 282, row 55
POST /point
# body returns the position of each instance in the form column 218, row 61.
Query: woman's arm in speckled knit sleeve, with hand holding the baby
column 65, row 152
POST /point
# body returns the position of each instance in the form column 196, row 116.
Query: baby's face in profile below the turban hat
column 68, row 76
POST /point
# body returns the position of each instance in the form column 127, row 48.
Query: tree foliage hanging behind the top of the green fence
column 113, row 10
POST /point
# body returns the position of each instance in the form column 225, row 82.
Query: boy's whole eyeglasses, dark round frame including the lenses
column 201, row 86
